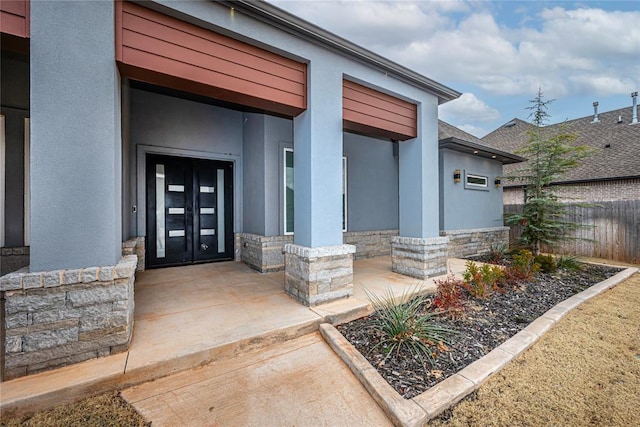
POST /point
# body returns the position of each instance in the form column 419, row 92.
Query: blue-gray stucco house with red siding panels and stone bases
column 187, row 132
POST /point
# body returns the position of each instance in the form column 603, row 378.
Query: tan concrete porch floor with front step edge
column 186, row 317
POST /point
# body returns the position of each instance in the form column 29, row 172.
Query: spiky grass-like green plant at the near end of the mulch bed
column 402, row 327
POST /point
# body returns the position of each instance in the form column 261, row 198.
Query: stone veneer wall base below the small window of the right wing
column 476, row 241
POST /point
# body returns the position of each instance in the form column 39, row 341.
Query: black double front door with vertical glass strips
column 189, row 211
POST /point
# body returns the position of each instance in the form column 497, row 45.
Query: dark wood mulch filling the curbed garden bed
column 485, row 325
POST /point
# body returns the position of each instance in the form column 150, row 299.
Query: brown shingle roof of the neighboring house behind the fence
column 620, row 160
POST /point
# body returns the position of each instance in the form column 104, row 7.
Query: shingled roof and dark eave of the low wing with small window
column 456, row 139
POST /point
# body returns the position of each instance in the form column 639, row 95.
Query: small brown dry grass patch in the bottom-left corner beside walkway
column 105, row 410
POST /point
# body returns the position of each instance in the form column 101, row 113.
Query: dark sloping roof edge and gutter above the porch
column 284, row 20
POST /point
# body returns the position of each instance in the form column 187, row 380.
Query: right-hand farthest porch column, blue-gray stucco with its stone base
column 419, row 251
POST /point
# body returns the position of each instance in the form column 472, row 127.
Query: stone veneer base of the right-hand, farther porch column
column 419, row 257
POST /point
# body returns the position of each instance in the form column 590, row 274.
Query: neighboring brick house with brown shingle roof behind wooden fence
column 612, row 172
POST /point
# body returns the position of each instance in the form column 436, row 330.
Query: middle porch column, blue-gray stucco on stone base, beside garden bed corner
column 318, row 266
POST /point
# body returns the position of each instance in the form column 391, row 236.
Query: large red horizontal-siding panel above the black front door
column 163, row 50
